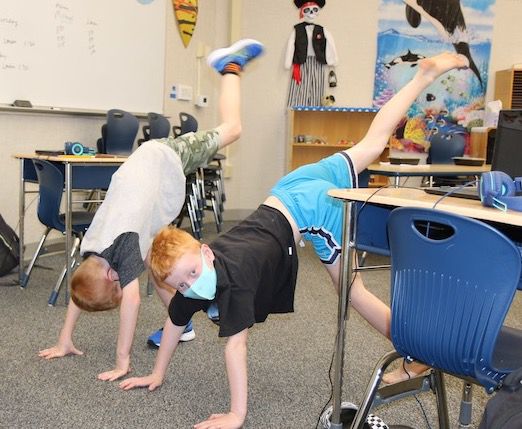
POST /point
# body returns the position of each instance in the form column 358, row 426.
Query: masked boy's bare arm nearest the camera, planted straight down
column 236, row 363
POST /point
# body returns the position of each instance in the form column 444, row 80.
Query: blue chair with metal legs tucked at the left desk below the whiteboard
column 51, row 183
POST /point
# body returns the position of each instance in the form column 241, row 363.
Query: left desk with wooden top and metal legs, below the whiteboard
column 80, row 172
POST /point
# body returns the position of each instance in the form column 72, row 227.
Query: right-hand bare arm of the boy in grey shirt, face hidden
column 129, row 308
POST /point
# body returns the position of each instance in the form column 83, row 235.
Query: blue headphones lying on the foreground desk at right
column 498, row 189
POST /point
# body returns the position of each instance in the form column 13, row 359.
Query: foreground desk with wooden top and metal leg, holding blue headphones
column 391, row 197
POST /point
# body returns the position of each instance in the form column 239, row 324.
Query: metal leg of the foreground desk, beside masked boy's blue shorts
column 343, row 312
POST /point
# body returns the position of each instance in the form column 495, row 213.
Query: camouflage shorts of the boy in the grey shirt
column 194, row 149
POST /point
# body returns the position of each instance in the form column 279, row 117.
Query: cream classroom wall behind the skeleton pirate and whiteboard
column 258, row 159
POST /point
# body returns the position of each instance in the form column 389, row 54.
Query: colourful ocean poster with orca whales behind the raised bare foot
column 410, row 30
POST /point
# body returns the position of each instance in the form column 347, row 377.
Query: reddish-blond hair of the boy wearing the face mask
column 169, row 245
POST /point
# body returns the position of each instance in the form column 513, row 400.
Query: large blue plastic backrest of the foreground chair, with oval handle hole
column 453, row 281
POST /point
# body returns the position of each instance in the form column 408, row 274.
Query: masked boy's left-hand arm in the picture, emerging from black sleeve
column 169, row 342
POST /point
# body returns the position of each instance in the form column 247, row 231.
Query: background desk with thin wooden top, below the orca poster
column 432, row 170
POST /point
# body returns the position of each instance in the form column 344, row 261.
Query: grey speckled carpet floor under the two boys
column 289, row 359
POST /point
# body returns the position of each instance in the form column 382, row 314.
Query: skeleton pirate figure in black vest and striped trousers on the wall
column 309, row 50
